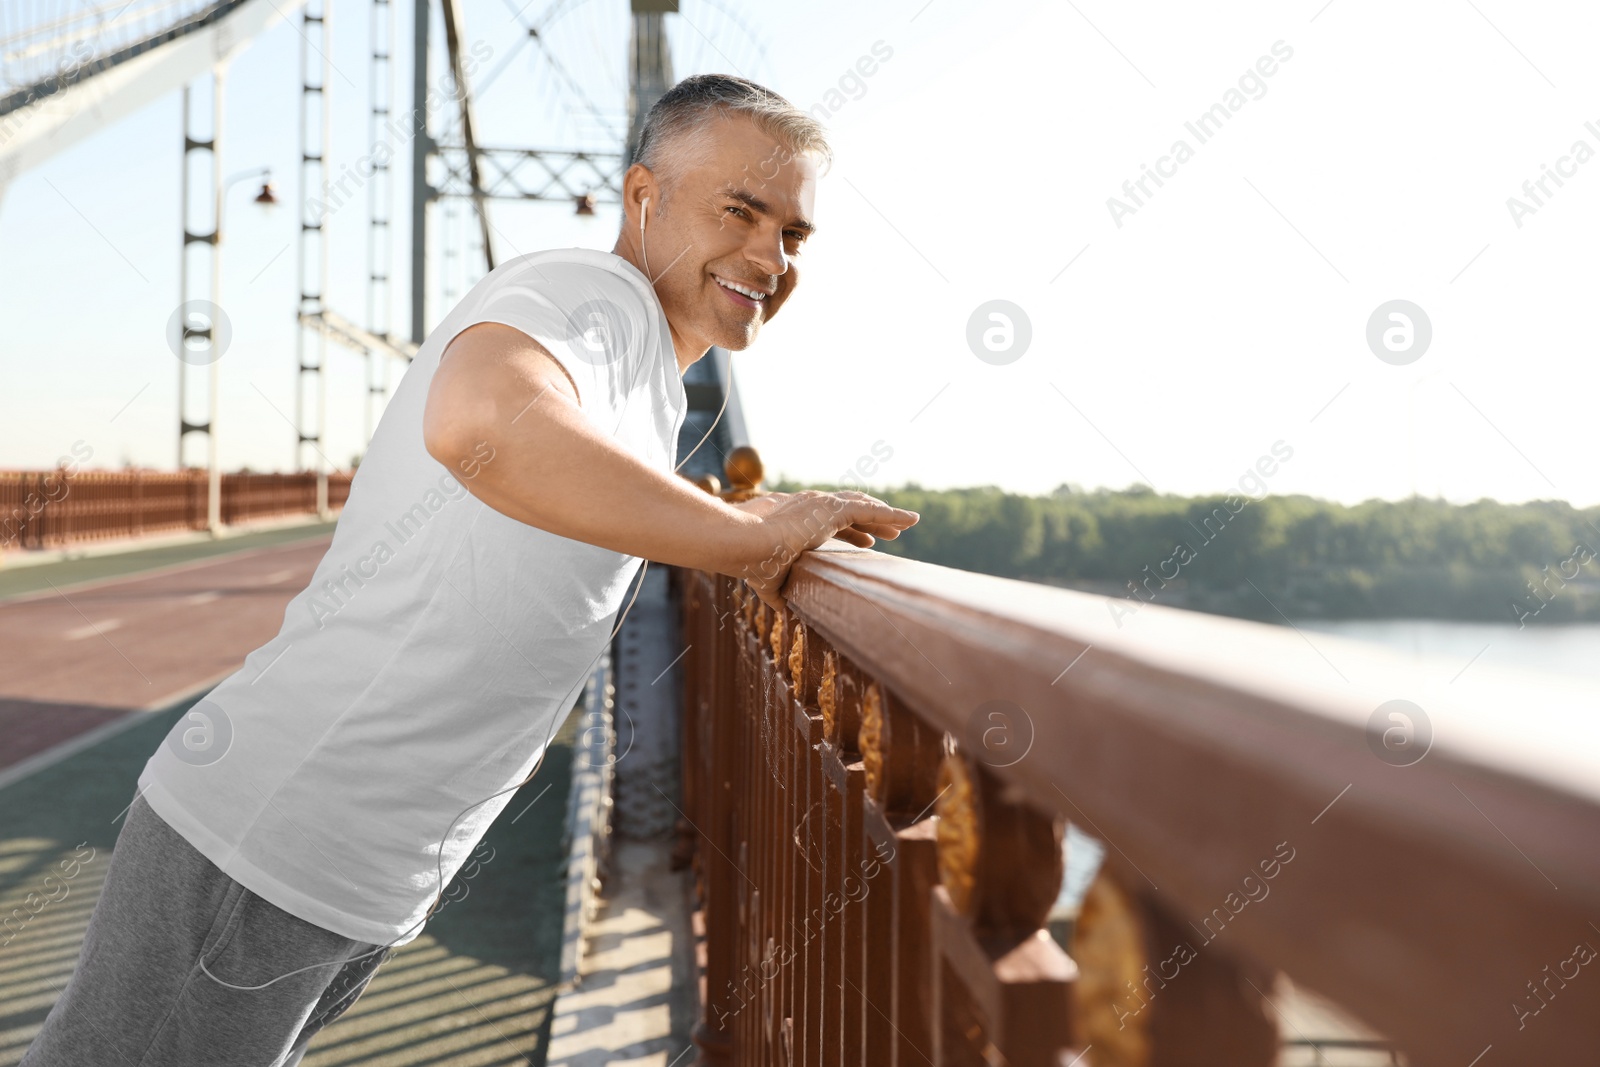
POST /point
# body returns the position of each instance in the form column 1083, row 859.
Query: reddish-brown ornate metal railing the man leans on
column 876, row 868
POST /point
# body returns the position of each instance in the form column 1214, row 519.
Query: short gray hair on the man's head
column 686, row 111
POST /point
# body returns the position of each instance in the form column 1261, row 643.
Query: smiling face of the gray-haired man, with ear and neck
column 724, row 247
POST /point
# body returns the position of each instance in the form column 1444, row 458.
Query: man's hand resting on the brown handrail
column 798, row 522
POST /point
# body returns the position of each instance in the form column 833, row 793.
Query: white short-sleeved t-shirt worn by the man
column 439, row 644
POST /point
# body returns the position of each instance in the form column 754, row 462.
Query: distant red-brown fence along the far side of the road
column 52, row 510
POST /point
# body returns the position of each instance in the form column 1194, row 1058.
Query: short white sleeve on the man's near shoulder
column 593, row 321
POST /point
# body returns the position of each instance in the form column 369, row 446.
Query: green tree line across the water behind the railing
column 1530, row 564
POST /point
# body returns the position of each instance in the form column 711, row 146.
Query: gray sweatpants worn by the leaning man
column 169, row 941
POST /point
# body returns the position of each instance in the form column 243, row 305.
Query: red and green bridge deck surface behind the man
column 473, row 989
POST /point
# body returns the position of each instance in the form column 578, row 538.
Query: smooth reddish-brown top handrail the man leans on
column 1423, row 897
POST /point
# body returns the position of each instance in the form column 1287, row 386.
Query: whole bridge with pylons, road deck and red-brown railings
column 916, row 817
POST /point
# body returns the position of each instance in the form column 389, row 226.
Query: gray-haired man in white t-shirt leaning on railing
column 306, row 817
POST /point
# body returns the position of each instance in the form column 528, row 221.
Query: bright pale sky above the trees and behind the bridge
column 1362, row 161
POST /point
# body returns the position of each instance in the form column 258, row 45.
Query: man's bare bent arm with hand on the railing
column 553, row 470
